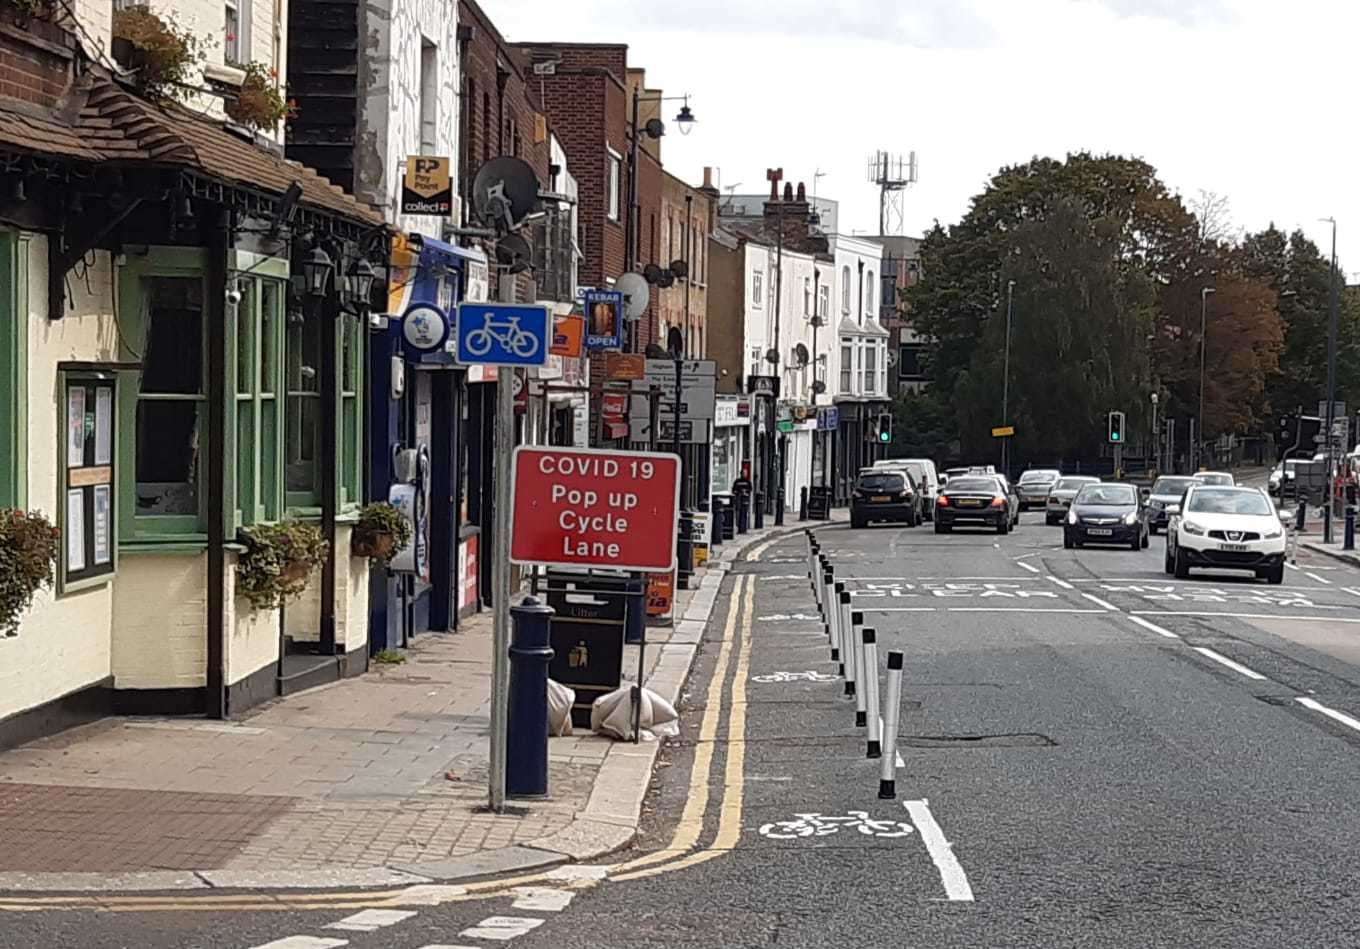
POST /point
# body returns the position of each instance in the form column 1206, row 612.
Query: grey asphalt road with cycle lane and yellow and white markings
column 1094, row 755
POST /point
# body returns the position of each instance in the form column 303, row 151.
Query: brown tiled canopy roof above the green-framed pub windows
column 115, row 126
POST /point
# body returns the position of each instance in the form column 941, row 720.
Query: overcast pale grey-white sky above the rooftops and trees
column 1255, row 100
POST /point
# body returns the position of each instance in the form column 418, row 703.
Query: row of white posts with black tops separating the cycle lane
column 855, row 649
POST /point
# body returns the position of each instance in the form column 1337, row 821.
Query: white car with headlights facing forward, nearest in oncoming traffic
column 1226, row 528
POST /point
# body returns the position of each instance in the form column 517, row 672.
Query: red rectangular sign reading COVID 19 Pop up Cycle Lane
column 590, row 508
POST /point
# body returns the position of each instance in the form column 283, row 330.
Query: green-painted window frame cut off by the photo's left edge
column 14, row 380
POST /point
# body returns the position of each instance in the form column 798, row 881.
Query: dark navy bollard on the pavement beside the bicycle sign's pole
column 527, row 731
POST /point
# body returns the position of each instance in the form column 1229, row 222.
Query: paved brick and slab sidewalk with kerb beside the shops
column 371, row 781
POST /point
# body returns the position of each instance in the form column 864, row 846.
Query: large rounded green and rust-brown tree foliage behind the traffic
column 1108, row 269
